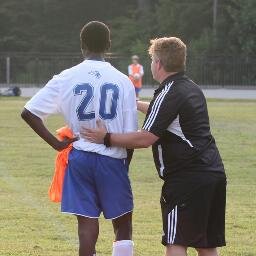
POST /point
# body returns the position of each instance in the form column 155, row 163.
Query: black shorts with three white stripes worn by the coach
column 193, row 210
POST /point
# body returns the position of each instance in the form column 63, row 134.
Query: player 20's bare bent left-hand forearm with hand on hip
column 38, row 126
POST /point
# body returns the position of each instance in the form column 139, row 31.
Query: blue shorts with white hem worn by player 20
column 95, row 183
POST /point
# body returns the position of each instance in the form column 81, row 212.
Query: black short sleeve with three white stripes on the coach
column 162, row 111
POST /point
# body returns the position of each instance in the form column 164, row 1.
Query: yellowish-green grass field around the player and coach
column 31, row 225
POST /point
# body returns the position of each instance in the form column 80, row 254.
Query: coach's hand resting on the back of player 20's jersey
column 95, row 135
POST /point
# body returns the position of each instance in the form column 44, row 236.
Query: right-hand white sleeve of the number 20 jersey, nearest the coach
column 129, row 108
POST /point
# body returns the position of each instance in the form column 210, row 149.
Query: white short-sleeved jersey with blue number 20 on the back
column 84, row 93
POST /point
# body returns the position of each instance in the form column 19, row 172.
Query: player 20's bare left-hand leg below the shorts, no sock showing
column 88, row 230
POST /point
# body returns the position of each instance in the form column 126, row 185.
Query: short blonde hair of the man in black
column 171, row 51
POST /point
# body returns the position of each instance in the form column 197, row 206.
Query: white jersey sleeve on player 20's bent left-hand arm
column 47, row 100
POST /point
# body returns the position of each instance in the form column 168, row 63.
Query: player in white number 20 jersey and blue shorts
column 96, row 178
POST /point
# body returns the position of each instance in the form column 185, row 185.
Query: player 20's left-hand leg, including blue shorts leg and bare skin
column 79, row 197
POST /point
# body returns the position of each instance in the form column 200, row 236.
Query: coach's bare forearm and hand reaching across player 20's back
column 139, row 139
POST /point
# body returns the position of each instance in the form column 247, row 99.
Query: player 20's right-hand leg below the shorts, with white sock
column 123, row 246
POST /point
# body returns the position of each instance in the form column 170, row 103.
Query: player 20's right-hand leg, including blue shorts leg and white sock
column 116, row 200
